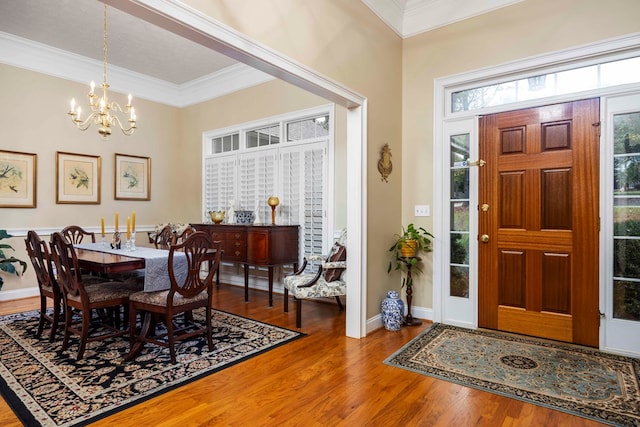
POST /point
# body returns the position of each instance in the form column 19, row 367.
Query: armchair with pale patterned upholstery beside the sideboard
column 327, row 281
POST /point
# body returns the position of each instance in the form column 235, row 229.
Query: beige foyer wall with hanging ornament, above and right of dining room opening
column 345, row 41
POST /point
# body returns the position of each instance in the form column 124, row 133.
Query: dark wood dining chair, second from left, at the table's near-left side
column 82, row 299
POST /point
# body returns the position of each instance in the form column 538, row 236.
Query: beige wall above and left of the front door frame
column 525, row 29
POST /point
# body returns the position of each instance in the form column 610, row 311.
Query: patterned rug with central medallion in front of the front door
column 573, row 379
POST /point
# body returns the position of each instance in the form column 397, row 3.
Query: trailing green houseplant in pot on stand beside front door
column 406, row 250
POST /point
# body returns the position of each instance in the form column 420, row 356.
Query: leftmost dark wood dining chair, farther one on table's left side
column 38, row 252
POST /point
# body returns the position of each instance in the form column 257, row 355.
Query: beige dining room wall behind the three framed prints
column 34, row 120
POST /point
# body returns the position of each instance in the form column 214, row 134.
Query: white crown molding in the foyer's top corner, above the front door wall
column 412, row 17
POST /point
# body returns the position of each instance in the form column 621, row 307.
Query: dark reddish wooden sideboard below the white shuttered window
column 259, row 245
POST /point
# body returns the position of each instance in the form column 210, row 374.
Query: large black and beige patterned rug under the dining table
column 47, row 387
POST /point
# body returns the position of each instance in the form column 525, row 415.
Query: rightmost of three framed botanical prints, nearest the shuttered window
column 132, row 177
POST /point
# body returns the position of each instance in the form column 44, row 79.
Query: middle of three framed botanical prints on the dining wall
column 77, row 178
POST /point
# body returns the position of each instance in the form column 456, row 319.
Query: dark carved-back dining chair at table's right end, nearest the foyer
column 194, row 291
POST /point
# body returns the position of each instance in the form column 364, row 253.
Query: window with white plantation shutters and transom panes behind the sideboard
column 287, row 158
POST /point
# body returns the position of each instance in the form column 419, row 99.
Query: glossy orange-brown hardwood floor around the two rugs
column 323, row 379
